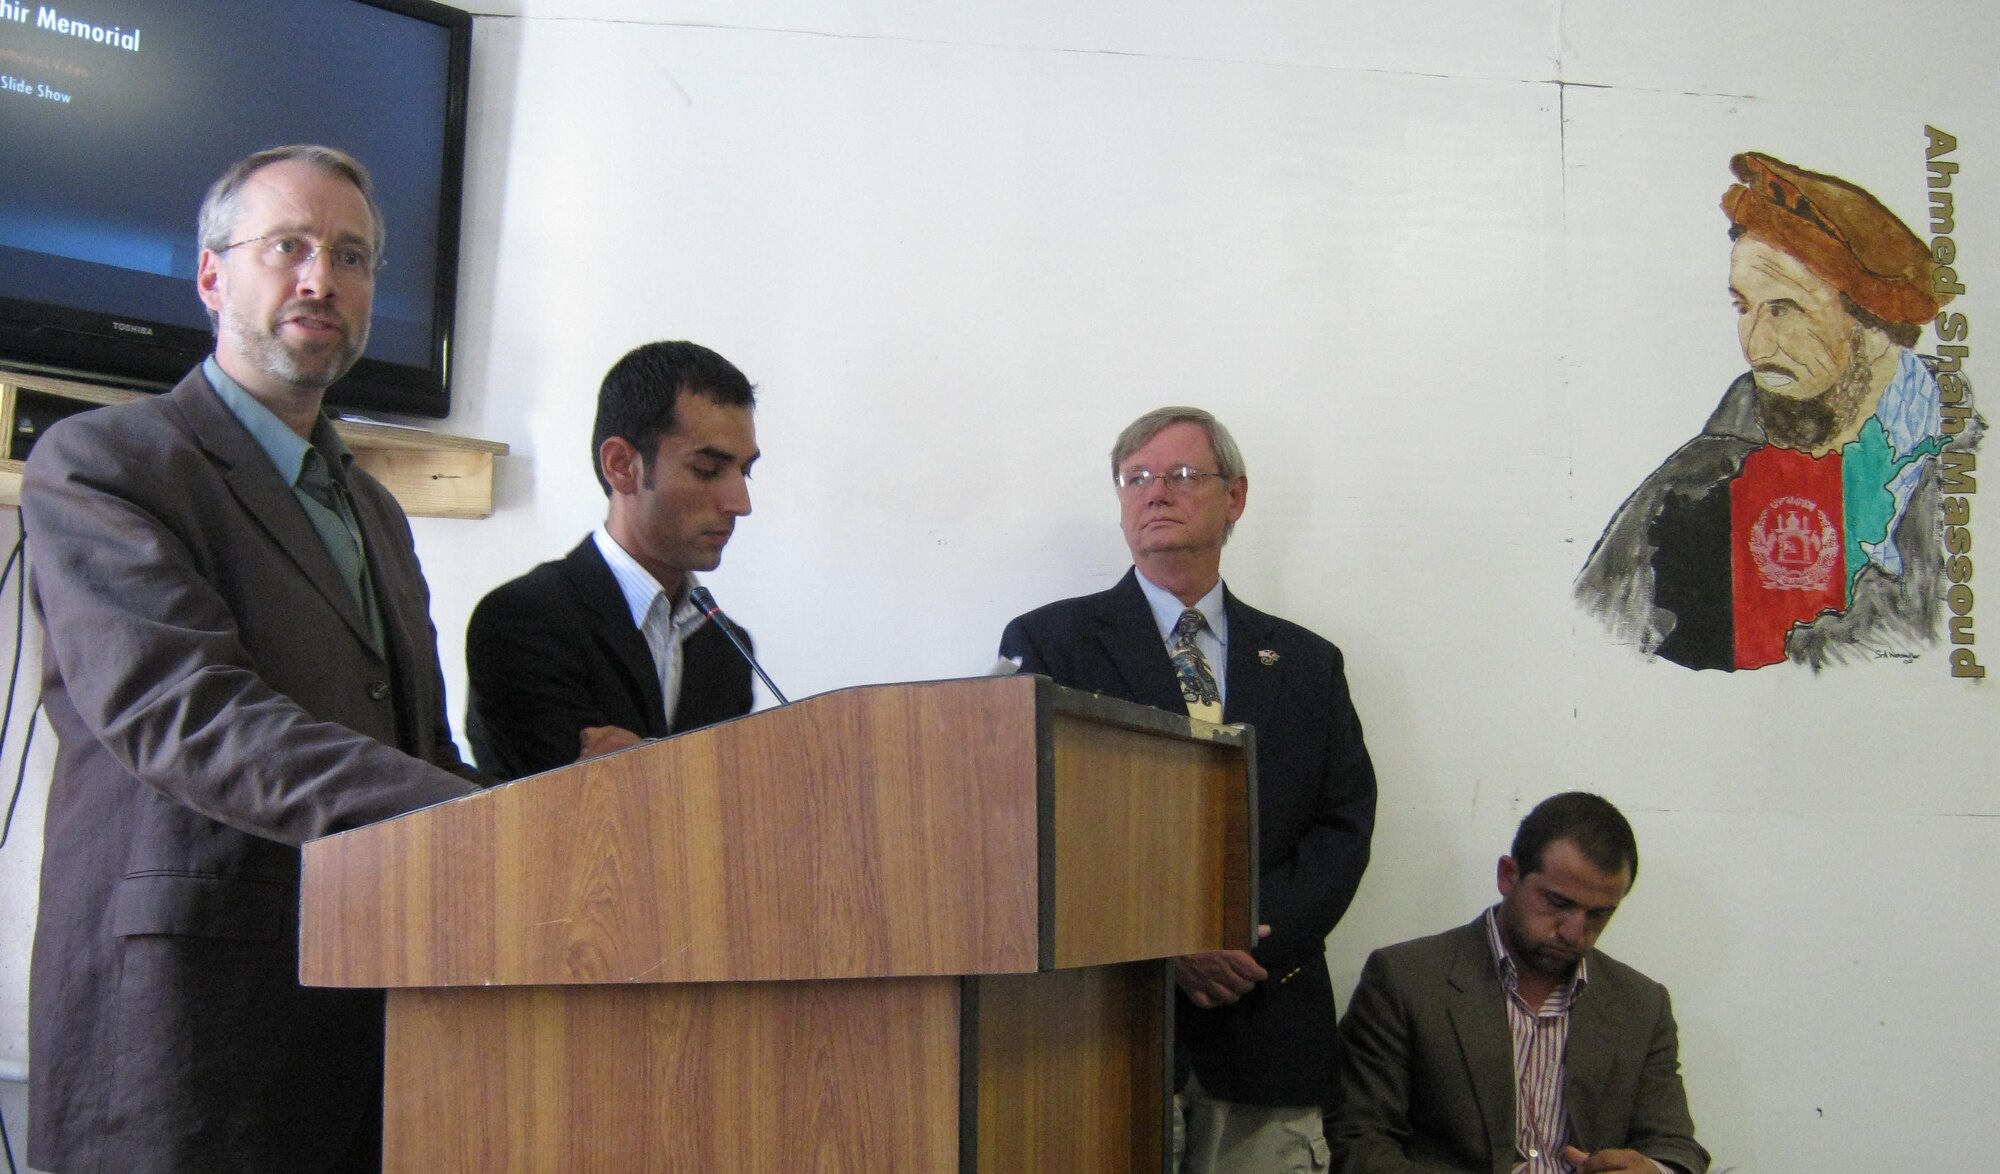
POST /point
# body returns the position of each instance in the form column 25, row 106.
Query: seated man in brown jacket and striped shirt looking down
column 1513, row 1043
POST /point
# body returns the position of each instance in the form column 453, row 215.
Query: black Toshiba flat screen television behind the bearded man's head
column 119, row 115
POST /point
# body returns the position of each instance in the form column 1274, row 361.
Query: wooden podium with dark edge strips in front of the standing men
column 887, row 929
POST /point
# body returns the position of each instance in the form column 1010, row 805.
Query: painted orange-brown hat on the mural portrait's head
column 1837, row 231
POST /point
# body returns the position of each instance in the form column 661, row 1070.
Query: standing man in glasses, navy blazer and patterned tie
column 1257, row 1027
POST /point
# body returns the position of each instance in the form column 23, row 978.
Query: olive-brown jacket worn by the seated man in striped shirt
column 1429, row 1065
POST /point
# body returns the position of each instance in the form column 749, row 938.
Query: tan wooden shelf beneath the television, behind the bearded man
column 431, row 473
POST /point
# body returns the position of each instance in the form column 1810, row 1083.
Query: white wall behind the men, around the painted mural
column 1453, row 273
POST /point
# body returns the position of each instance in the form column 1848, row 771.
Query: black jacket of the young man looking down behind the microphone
column 555, row 651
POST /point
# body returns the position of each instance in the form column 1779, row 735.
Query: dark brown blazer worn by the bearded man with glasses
column 219, row 703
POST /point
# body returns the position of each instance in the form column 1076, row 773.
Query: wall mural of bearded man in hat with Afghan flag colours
column 1805, row 521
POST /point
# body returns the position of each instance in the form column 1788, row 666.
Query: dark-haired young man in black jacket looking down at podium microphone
column 605, row 647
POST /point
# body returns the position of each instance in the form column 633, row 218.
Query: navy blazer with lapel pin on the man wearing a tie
column 1315, row 819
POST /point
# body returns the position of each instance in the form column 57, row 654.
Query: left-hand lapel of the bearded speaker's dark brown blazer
column 265, row 495
